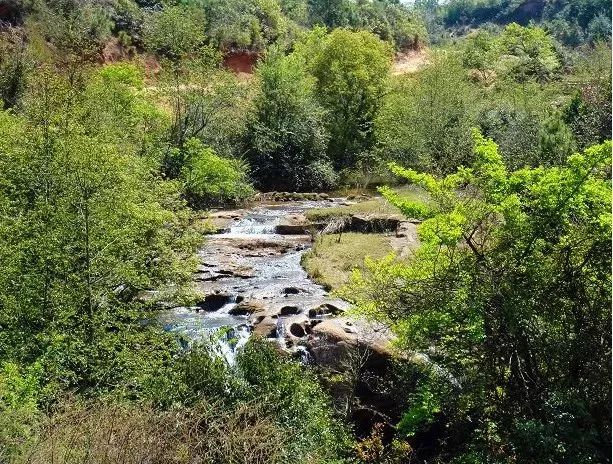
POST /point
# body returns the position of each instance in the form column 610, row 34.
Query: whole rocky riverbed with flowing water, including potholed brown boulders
column 253, row 283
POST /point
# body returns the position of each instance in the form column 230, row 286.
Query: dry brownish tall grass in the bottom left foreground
column 121, row 433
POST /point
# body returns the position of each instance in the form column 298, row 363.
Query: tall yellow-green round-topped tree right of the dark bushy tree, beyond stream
column 352, row 70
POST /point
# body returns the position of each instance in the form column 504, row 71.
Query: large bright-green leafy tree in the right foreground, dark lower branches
column 508, row 300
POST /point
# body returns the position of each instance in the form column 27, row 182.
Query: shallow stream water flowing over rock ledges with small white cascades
column 250, row 264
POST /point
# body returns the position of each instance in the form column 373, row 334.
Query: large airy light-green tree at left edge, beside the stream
column 87, row 226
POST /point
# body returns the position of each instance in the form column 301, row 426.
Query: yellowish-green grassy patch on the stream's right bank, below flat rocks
column 330, row 262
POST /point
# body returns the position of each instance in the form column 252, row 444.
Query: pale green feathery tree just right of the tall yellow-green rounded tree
column 425, row 121
